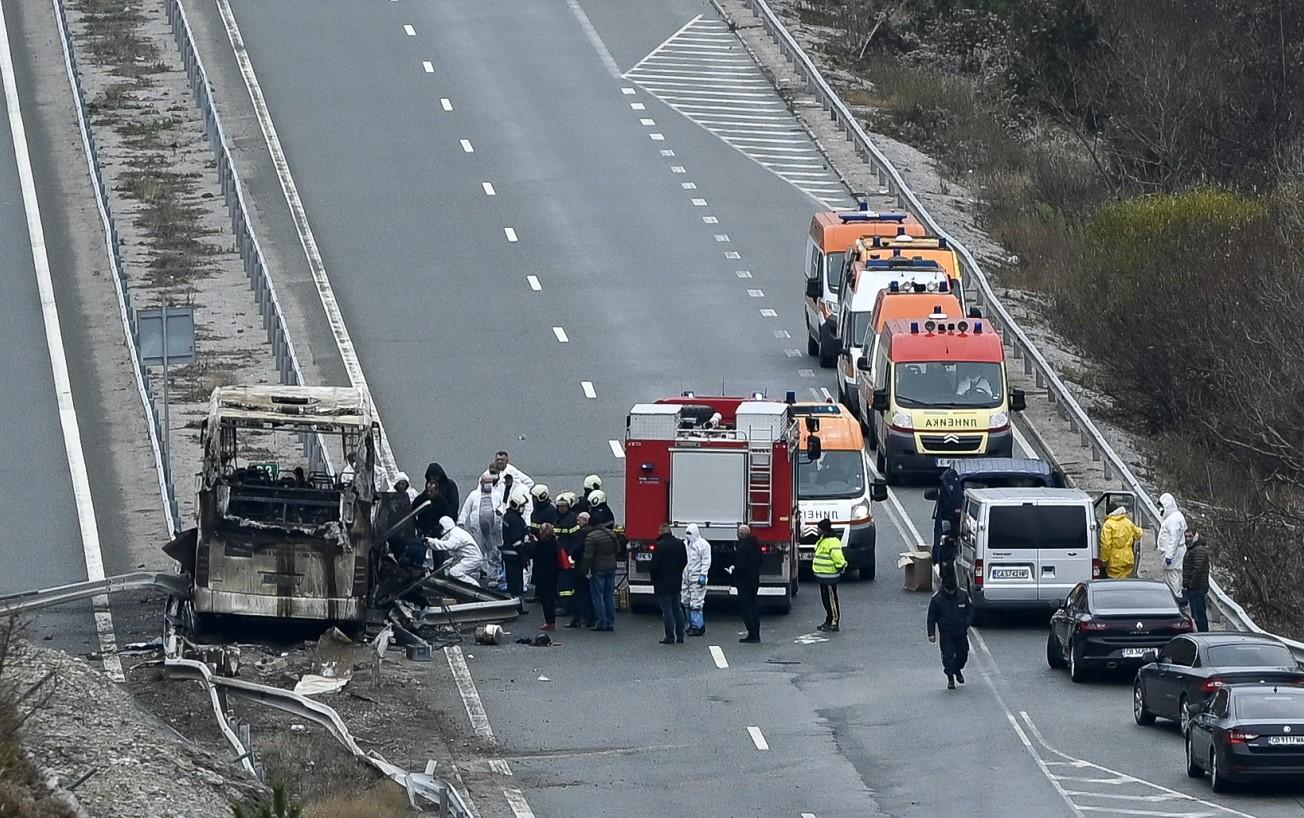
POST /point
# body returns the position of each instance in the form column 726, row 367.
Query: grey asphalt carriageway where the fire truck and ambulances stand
column 513, row 234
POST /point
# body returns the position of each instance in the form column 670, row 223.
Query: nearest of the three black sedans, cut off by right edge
column 1249, row 733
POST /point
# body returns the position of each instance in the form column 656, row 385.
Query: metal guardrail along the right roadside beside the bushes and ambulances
column 1023, row 348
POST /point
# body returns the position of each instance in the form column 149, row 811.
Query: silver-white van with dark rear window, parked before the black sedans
column 1027, row 547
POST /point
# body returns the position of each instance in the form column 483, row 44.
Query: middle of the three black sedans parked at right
column 1190, row 670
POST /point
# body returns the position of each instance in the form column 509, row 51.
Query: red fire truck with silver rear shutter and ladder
column 717, row 462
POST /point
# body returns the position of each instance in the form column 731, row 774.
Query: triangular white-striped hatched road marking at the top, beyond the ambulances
column 705, row 74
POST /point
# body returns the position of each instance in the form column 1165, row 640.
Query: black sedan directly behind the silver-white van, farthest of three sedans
column 1113, row 624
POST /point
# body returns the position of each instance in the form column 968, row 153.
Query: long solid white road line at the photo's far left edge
column 92, row 553
